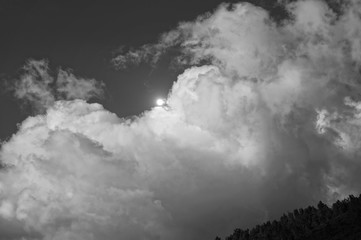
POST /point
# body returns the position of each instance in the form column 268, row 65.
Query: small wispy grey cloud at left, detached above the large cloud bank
column 38, row 88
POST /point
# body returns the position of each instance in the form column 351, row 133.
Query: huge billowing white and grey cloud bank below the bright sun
column 270, row 124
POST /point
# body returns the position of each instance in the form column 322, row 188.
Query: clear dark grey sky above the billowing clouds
column 83, row 36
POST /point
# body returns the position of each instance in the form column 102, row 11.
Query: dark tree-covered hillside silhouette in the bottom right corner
column 340, row 222
